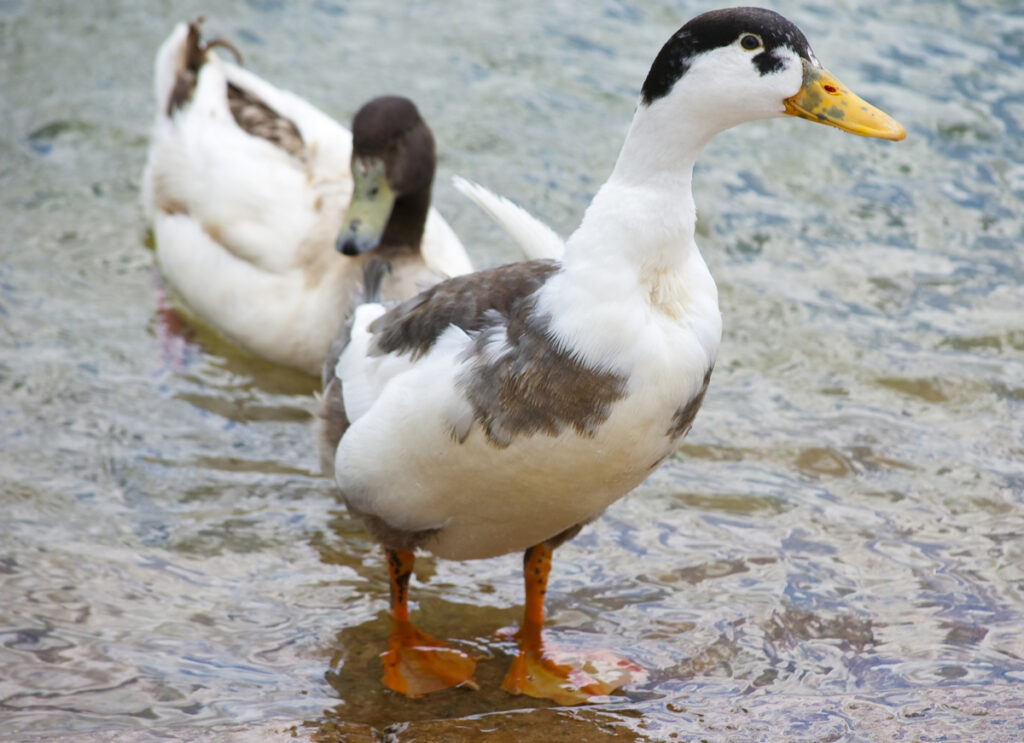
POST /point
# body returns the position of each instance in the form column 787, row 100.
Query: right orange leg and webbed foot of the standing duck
column 546, row 673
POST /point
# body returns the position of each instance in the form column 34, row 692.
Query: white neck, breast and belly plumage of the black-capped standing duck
column 632, row 297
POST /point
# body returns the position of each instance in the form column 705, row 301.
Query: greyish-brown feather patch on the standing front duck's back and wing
column 519, row 380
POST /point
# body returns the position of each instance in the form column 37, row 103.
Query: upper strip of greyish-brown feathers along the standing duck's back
column 472, row 302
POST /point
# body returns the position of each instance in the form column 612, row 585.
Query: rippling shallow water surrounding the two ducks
column 835, row 554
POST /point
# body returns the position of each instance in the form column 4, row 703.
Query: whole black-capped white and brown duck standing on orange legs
column 504, row 410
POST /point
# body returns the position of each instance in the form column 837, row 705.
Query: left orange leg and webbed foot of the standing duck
column 416, row 664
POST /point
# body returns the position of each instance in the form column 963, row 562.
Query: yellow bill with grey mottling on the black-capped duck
column 827, row 101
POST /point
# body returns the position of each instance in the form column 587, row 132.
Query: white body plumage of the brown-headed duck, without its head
column 245, row 231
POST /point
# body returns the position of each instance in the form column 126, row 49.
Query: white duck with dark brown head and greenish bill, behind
column 245, row 189
